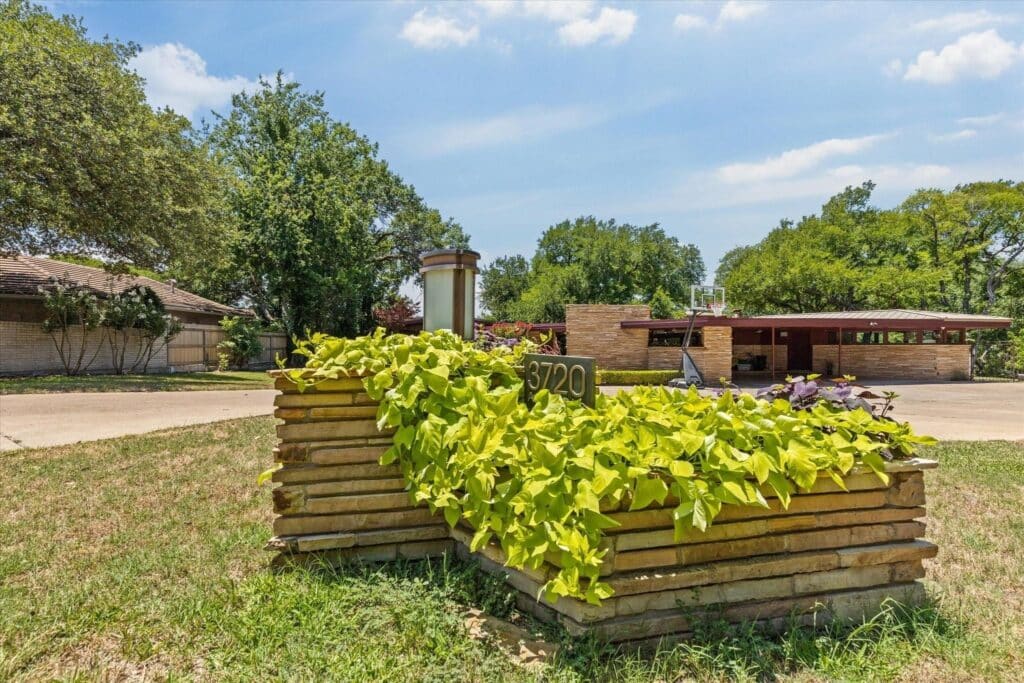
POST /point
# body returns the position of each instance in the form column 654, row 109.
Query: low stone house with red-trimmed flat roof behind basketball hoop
column 890, row 345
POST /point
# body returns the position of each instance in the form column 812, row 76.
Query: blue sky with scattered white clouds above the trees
column 714, row 119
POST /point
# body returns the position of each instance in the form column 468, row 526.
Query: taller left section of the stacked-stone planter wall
column 335, row 502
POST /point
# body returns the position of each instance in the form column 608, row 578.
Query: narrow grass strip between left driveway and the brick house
column 241, row 379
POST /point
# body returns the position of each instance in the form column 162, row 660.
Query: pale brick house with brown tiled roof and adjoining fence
column 26, row 349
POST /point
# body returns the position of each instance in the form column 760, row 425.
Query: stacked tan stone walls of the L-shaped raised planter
column 831, row 554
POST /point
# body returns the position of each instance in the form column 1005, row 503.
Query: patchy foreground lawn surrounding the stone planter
column 143, row 559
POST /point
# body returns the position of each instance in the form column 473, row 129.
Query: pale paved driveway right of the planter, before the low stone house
column 970, row 411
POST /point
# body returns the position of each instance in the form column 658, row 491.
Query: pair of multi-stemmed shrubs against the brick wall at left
column 136, row 315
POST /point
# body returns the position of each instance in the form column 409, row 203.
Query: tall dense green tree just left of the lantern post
column 325, row 230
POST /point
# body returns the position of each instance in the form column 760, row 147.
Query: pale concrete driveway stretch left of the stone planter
column 54, row 419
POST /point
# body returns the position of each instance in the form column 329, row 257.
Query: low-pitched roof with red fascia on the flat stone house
column 894, row 319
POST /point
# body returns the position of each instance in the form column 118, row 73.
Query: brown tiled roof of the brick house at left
column 25, row 275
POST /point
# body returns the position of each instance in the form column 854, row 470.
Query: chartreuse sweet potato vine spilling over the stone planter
column 538, row 478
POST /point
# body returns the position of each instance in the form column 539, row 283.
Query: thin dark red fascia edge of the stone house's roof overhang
column 824, row 323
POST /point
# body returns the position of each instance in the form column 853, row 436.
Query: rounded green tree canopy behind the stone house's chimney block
column 590, row 262
